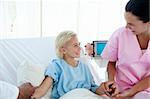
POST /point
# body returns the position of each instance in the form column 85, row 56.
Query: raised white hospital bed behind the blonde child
column 24, row 60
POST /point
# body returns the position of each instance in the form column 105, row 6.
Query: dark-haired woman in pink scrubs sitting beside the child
column 128, row 53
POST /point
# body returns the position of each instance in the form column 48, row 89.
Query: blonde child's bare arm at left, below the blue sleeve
column 43, row 88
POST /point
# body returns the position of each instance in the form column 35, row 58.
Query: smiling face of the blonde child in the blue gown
column 72, row 48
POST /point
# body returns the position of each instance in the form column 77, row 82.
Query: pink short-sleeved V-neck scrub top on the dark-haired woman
column 132, row 65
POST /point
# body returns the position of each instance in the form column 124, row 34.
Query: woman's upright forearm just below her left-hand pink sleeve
column 111, row 70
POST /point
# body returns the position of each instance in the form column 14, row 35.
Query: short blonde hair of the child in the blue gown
column 61, row 40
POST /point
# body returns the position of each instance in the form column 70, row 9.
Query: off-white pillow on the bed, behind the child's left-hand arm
column 33, row 73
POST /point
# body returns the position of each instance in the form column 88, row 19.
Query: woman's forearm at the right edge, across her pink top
column 142, row 85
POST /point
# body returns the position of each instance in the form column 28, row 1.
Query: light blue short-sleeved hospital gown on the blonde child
column 67, row 78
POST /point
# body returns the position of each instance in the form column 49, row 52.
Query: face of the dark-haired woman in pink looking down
column 135, row 25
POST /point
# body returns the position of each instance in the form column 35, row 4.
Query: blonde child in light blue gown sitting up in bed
column 67, row 73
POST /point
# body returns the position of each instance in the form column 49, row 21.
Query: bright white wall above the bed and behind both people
column 91, row 19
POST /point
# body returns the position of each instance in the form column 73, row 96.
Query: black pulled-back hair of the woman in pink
column 139, row 8
